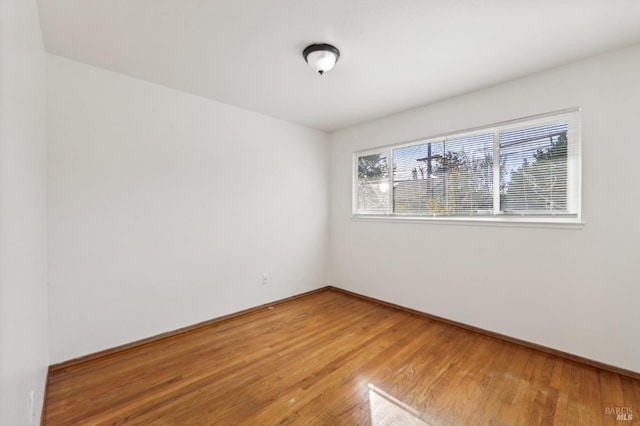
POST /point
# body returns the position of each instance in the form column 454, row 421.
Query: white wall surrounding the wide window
column 573, row 290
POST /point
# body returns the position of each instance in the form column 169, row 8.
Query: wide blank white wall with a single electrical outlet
column 166, row 208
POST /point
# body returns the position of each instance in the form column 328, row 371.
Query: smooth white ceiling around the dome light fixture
column 395, row 54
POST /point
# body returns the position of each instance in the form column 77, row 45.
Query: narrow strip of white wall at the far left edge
column 23, row 279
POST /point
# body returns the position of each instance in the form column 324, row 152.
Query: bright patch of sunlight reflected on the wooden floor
column 387, row 410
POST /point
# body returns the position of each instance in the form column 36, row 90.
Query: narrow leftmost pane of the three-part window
column 373, row 184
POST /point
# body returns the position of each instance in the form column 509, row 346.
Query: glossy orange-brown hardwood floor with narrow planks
column 331, row 358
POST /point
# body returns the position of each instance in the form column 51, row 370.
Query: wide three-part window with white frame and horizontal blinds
column 525, row 169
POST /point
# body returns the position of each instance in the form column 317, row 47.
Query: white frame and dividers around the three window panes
column 574, row 175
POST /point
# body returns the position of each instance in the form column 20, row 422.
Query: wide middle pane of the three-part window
column 449, row 177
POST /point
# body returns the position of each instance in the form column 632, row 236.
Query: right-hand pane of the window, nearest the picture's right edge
column 533, row 169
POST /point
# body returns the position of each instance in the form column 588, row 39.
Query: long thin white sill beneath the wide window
column 504, row 221
